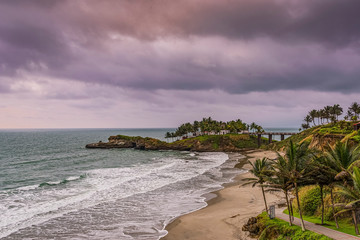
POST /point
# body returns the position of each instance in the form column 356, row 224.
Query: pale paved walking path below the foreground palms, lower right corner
column 317, row 228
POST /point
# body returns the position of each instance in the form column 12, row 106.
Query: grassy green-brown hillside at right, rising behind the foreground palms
column 322, row 135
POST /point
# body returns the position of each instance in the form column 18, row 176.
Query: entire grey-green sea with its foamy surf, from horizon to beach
column 52, row 187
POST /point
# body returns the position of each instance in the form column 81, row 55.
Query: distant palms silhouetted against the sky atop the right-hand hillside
column 331, row 114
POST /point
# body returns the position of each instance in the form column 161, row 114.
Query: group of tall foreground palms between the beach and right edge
column 335, row 169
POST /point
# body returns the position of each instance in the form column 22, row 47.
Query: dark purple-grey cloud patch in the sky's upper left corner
column 30, row 36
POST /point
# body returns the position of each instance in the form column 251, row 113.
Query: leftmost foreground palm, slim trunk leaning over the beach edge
column 261, row 170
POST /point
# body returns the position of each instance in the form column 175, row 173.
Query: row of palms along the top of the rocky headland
column 207, row 125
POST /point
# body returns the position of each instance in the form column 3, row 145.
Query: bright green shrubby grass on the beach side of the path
column 276, row 229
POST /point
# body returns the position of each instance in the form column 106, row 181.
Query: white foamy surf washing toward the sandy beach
column 133, row 199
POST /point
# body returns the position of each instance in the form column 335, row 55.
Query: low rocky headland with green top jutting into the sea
column 204, row 143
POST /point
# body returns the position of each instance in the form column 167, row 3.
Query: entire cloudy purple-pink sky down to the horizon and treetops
column 159, row 63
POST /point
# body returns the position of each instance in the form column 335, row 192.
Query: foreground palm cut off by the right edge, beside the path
column 353, row 194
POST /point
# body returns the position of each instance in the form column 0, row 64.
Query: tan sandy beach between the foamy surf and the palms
column 225, row 214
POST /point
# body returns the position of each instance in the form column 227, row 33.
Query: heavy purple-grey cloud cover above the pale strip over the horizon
column 82, row 50
